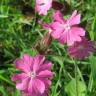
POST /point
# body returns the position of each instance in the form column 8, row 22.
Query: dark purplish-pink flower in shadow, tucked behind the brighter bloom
column 82, row 49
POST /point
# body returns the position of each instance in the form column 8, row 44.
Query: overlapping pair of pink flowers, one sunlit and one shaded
column 68, row 31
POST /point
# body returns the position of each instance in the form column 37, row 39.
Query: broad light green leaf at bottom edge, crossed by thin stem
column 71, row 88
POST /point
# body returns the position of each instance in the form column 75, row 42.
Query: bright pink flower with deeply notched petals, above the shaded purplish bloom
column 67, row 31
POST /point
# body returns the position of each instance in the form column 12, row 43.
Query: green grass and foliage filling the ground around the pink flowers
column 19, row 34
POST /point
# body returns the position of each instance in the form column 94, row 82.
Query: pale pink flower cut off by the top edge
column 42, row 6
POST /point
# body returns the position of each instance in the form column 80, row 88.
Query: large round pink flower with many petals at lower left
column 35, row 75
